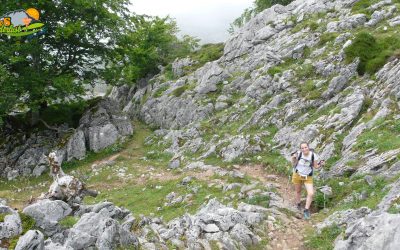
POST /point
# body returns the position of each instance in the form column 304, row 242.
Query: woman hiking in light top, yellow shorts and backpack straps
column 304, row 162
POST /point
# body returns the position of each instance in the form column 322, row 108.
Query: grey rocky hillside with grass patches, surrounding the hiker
column 204, row 162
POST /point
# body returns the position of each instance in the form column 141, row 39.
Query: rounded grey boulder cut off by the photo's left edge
column 11, row 226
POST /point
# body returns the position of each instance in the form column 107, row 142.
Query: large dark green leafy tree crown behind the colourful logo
column 60, row 63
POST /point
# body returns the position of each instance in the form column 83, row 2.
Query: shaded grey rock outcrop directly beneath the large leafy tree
column 100, row 126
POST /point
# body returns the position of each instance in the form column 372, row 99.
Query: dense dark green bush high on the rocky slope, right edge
column 373, row 52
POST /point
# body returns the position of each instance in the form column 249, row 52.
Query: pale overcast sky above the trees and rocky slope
column 205, row 19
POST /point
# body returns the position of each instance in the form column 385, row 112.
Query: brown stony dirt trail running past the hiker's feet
column 291, row 234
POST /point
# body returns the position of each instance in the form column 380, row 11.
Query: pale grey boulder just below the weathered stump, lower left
column 47, row 214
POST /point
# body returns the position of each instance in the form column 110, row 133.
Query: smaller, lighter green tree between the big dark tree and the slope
column 149, row 42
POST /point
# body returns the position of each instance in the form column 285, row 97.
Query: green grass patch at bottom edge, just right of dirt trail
column 324, row 240
